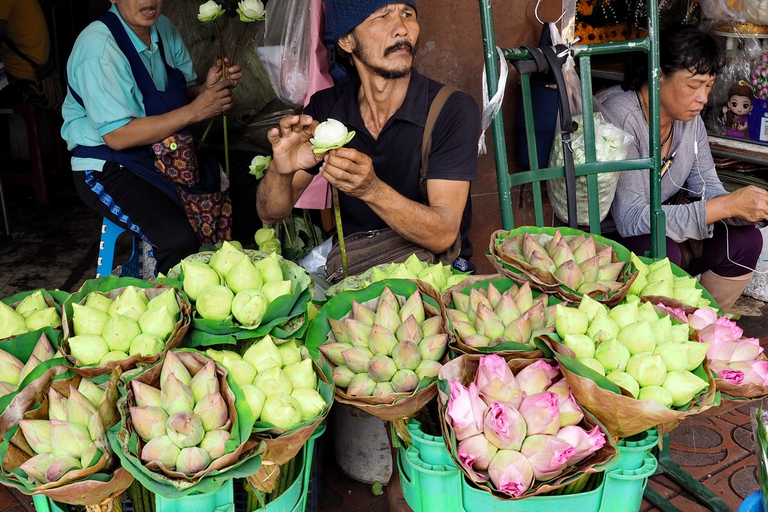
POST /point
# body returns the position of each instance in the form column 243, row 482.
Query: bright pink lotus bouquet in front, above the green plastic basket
column 515, row 429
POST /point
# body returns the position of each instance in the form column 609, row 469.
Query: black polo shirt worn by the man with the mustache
column 396, row 154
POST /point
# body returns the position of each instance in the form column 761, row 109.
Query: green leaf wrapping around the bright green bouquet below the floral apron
column 286, row 316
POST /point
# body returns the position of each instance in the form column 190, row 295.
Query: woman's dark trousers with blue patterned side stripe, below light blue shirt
column 161, row 220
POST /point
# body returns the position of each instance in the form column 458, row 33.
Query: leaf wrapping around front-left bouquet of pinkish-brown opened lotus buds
column 241, row 460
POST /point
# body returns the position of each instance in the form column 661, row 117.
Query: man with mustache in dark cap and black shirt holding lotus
column 386, row 104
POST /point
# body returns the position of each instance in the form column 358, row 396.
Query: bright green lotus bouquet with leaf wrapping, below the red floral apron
column 242, row 295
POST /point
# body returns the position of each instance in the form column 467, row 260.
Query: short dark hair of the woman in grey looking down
column 681, row 47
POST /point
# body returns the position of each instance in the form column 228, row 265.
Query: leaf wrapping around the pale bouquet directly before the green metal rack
column 505, row 254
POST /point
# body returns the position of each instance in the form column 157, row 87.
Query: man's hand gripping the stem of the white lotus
column 351, row 172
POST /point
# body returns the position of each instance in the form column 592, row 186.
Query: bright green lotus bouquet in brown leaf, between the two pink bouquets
column 632, row 366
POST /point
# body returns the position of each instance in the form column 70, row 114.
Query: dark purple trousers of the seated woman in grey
column 724, row 254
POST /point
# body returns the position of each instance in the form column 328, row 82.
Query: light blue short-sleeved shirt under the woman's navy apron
column 101, row 74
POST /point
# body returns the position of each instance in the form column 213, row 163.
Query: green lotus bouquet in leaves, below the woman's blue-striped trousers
column 122, row 322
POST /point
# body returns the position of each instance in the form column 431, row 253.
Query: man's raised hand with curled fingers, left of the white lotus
column 291, row 149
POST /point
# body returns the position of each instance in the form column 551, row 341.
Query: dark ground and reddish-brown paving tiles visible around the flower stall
column 55, row 246
